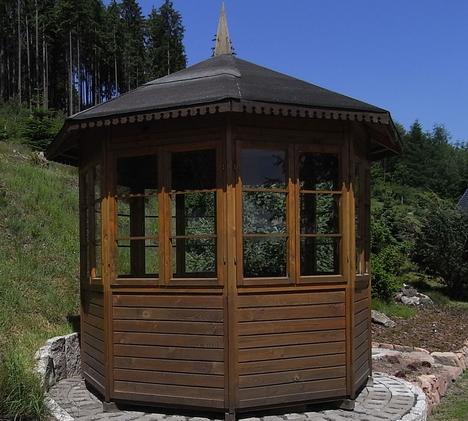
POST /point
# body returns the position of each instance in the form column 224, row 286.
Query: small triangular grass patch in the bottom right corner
column 454, row 406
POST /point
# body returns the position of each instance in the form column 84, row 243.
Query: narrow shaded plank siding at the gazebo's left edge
column 92, row 339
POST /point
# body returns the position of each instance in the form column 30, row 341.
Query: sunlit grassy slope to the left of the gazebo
column 39, row 263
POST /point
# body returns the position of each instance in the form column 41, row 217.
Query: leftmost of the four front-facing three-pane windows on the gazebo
column 137, row 217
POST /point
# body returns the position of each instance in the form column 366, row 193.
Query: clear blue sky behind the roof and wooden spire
column 407, row 56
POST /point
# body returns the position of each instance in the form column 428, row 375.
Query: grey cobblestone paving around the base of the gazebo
column 389, row 399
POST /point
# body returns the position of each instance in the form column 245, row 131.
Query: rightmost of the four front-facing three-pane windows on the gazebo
column 319, row 214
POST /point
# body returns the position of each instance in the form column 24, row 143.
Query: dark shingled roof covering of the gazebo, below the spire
column 224, row 77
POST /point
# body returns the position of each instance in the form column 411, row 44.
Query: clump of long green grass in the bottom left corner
column 21, row 393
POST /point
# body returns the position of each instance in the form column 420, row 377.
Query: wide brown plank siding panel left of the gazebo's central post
column 169, row 349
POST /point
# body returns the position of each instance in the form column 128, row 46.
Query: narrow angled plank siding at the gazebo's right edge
column 361, row 337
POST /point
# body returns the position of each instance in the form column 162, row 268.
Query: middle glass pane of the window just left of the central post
column 194, row 213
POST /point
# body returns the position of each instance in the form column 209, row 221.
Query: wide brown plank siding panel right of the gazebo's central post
column 292, row 347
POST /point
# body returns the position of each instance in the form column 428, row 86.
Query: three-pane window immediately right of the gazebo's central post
column 264, row 175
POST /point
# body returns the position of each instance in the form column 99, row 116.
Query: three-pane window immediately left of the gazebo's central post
column 193, row 214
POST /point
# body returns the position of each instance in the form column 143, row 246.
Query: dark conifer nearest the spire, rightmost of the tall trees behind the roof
column 166, row 52
